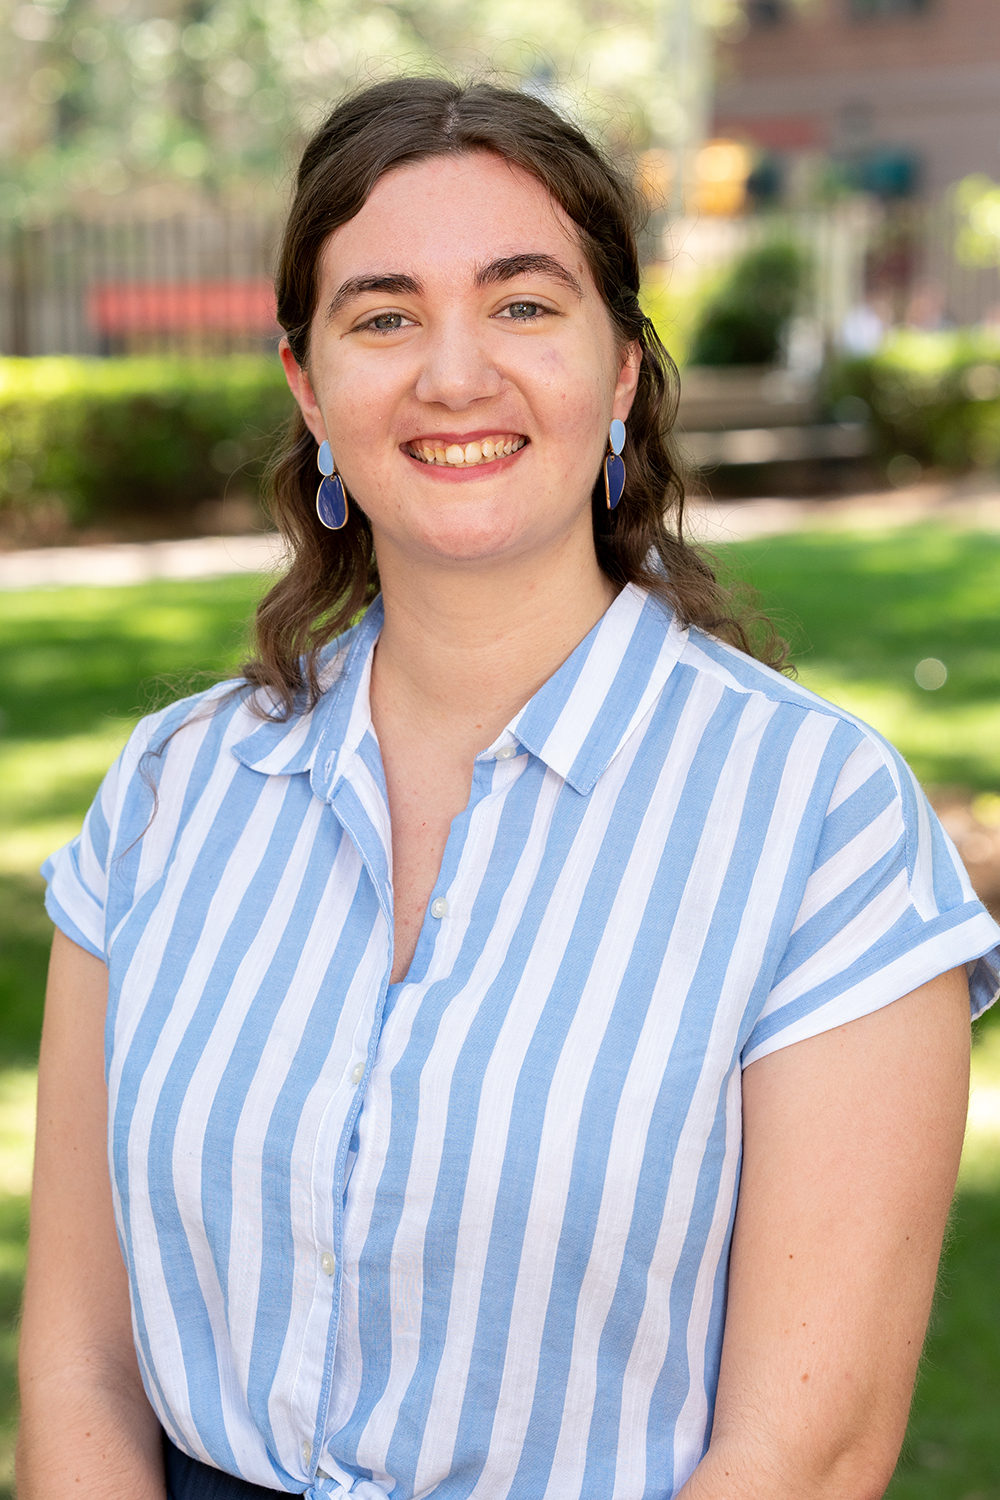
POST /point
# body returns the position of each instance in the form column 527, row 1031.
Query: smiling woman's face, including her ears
column 463, row 364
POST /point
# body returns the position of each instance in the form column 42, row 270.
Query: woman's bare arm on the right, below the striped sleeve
column 851, row 1151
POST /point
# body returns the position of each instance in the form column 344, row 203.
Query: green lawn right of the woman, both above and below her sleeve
column 861, row 610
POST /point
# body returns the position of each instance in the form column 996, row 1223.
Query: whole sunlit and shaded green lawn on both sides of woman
column 79, row 667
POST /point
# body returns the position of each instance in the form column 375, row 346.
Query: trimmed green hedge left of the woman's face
column 152, row 437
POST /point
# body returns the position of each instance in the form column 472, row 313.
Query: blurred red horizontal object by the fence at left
column 227, row 307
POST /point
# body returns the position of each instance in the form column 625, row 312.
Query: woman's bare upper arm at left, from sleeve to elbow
column 77, row 1300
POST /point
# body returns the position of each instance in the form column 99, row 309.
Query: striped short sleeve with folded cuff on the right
column 887, row 907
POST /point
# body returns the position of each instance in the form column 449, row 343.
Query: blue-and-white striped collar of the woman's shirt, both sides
column 576, row 724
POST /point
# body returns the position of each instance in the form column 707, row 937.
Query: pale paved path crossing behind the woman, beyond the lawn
column 966, row 503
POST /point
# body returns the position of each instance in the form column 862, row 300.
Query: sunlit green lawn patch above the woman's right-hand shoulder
column 861, row 610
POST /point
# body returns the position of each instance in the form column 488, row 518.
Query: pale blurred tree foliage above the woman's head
column 193, row 98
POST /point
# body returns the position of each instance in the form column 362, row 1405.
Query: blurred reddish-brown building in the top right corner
column 893, row 98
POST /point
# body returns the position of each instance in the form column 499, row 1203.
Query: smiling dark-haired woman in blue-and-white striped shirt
column 537, row 1033
